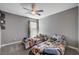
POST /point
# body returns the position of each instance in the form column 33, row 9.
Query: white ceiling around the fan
column 49, row 8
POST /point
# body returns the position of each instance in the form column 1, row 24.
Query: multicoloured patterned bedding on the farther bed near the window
column 35, row 40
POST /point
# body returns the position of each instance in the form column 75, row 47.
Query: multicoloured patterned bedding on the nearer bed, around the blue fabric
column 40, row 47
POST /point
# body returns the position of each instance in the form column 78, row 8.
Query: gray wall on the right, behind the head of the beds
column 65, row 23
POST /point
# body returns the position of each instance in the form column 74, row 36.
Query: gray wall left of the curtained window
column 16, row 28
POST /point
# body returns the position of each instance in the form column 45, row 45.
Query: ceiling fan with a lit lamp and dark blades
column 34, row 11
